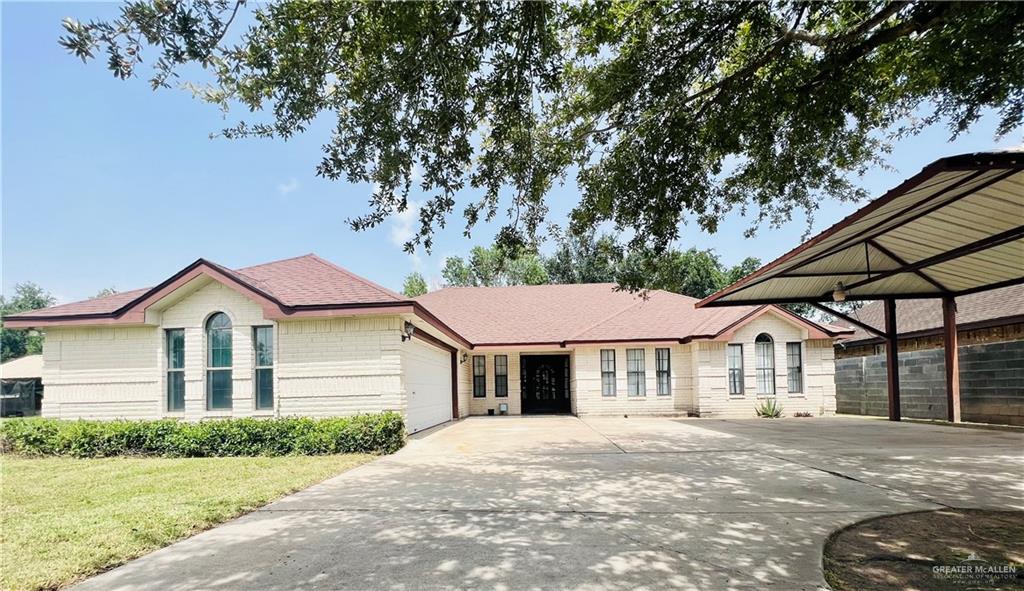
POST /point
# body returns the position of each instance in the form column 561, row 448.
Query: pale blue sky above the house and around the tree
column 108, row 184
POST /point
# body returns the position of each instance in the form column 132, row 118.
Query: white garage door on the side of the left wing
column 429, row 386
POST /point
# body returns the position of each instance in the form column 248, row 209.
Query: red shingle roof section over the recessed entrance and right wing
column 578, row 314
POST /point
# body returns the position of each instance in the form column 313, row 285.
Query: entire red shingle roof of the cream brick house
column 507, row 316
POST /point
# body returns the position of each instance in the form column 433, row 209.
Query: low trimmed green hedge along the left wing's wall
column 377, row 434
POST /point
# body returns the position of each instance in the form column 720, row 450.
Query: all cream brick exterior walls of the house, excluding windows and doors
column 344, row 366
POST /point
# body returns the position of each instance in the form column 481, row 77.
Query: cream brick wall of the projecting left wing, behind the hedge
column 323, row 367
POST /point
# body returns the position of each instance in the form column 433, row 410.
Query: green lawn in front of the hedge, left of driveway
column 63, row 520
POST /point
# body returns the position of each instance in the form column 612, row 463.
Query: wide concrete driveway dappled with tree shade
column 565, row 503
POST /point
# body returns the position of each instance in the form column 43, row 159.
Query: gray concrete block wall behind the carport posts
column 992, row 384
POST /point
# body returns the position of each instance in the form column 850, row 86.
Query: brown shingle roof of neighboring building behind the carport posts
column 922, row 317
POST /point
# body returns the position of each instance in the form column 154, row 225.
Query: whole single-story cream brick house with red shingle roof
column 304, row 336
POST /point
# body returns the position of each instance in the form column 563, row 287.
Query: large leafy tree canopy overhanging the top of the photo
column 667, row 112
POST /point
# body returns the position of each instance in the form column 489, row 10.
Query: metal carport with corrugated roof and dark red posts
column 956, row 228
